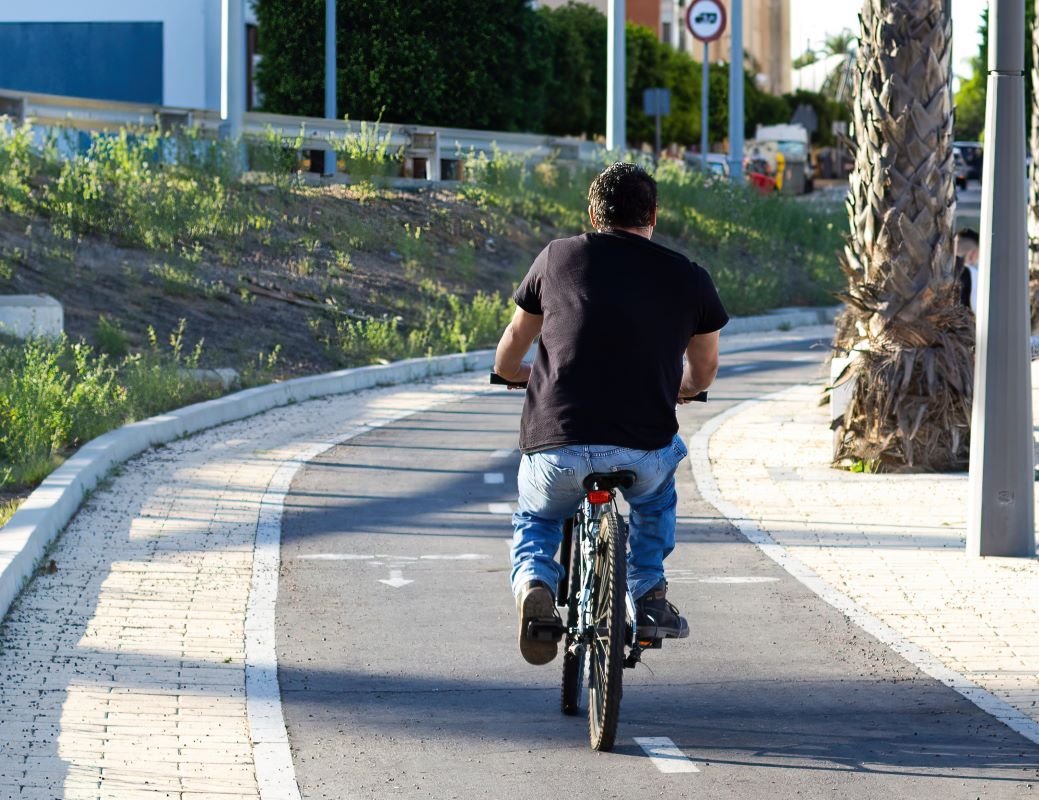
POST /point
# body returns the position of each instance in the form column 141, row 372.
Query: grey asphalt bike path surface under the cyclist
column 417, row 690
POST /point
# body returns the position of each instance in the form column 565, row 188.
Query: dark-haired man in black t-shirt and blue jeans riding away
column 616, row 313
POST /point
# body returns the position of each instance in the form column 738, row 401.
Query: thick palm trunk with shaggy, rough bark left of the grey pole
column 914, row 371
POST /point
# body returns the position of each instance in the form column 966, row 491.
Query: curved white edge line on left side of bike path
column 273, row 759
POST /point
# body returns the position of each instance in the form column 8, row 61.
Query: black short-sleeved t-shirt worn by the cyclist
column 619, row 312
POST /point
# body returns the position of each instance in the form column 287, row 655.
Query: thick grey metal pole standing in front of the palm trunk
column 1000, row 510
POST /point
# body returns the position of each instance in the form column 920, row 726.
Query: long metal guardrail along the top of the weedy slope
column 433, row 145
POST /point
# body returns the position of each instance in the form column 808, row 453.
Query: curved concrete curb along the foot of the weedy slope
column 26, row 537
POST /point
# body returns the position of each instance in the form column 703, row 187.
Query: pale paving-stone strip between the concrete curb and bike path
column 123, row 666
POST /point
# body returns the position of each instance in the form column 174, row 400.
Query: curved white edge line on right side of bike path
column 700, row 462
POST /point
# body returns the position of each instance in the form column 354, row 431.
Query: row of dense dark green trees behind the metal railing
column 497, row 66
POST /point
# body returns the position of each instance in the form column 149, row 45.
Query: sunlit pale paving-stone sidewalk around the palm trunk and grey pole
column 893, row 544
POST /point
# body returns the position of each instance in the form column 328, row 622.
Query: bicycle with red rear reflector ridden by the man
column 601, row 632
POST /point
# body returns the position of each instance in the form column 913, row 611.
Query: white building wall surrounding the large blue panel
column 191, row 38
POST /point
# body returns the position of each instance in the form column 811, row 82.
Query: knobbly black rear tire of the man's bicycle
column 606, row 656
